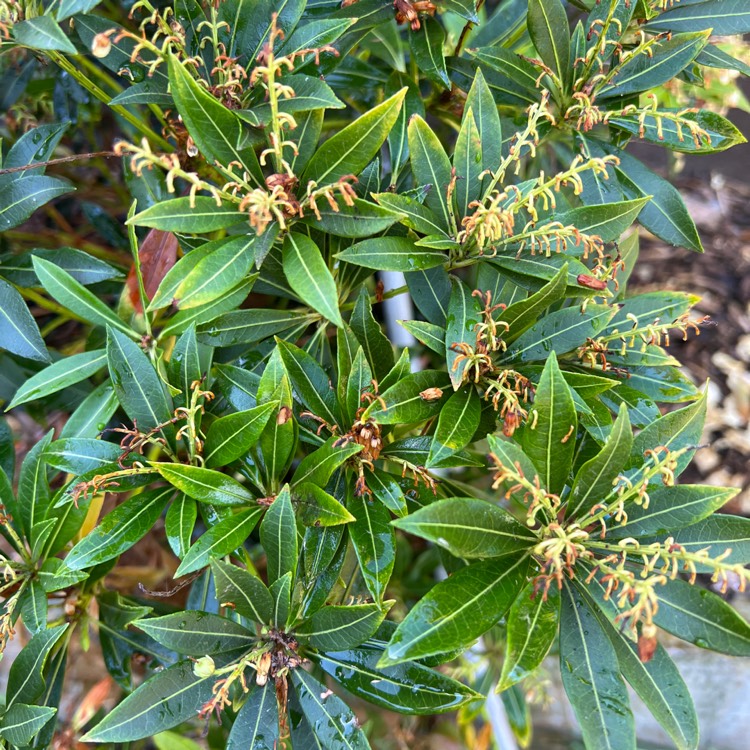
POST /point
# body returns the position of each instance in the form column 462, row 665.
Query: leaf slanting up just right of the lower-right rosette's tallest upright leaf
column 596, row 478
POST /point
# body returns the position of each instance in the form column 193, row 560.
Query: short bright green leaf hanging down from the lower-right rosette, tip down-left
column 532, row 627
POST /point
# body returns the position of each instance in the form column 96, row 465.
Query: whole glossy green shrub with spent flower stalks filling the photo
column 243, row 406
